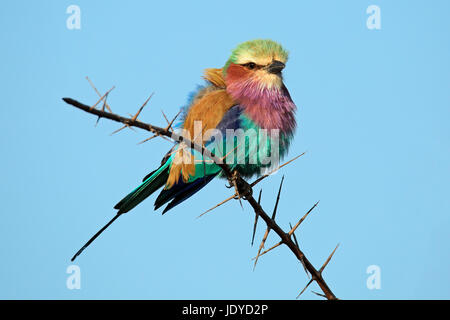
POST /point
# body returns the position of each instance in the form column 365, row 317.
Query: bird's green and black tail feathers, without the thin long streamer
column 153, row 182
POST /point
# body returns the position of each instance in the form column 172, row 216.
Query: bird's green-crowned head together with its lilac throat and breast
column 254, row 80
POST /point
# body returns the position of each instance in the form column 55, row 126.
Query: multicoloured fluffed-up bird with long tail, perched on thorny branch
column 247, row 95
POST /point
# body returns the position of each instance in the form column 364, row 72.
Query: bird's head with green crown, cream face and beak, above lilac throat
column 256, row 64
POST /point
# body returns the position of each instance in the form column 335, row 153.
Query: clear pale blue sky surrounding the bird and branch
column 373, row 115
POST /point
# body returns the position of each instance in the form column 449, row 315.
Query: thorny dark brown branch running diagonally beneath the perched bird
column 243, row 190
